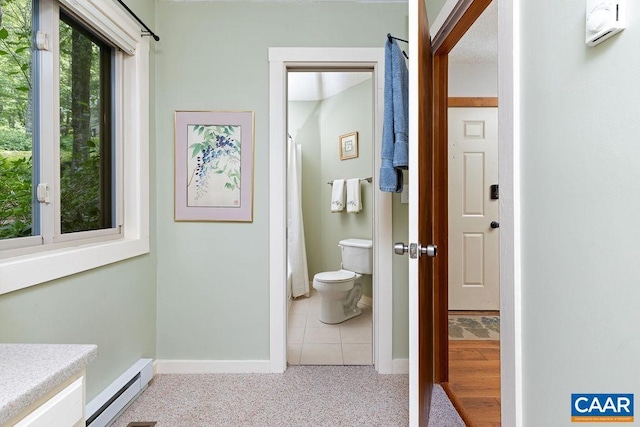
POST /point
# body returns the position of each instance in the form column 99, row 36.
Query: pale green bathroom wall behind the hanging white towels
column 348, row 111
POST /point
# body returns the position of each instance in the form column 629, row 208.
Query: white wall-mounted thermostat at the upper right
column 604, row 19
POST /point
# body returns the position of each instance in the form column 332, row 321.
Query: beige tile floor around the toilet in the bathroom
column 311, row 342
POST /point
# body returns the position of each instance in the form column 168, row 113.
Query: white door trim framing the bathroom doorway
column 281, row 59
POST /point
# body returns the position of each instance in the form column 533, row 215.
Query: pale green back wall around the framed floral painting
column 213, row 278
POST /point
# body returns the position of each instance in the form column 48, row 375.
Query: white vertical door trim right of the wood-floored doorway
column 509, row 180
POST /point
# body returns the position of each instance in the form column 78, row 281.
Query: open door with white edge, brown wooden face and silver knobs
column 421, row 290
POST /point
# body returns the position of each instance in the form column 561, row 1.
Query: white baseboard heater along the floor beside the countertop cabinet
column 102, row 410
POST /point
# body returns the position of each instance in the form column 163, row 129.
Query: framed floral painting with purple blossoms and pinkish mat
column 214, row 165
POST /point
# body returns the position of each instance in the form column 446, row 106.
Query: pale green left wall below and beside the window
column 113, row 306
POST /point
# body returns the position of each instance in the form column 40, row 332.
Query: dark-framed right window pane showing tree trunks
column 86, row 165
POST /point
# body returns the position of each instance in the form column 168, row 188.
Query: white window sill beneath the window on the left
column 29, row 270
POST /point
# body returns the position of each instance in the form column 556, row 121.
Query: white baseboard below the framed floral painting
column 212, row 366
